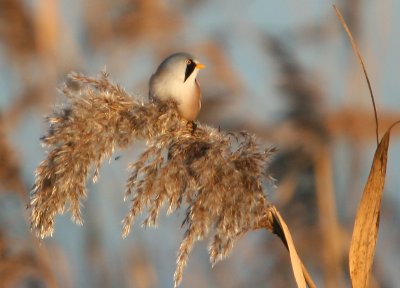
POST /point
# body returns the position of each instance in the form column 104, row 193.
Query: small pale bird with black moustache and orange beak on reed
column 175, row 78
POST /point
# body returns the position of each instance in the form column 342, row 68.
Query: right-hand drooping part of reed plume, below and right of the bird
column 221, row 185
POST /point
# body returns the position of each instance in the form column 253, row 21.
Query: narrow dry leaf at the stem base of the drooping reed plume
column 297, row 265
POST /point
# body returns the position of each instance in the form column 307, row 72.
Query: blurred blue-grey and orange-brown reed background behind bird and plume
column 283, row 70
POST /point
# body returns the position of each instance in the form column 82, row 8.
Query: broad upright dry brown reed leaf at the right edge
column 366, row 225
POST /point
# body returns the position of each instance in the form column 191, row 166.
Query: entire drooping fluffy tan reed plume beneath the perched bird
column 216, row 175
